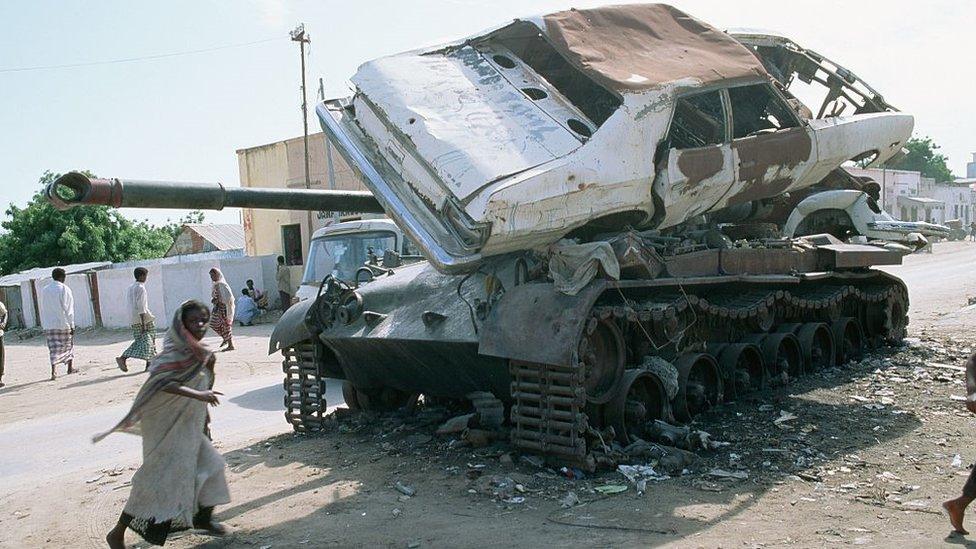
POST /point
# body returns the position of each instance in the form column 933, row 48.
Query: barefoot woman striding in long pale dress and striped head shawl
column 182, row 475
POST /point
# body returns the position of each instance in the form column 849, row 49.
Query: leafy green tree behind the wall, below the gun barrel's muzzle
column 38, row 235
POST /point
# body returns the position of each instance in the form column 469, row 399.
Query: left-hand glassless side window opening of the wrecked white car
column 699, row 121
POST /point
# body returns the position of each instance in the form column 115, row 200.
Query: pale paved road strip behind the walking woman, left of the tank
column 39, row 448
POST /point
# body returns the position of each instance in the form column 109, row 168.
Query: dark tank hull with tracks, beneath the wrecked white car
column 566, row 363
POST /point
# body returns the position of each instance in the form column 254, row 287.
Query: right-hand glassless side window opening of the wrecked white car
column 757, row 109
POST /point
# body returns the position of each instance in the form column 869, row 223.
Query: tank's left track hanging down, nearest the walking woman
column 305, row 404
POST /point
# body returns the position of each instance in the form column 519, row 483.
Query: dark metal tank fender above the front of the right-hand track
column 538, row 323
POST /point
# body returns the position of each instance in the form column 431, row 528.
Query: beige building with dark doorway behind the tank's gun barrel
column 282, row 165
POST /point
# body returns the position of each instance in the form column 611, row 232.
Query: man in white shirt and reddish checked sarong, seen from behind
column 58, row 321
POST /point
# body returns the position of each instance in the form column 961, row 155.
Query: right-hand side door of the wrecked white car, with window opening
column 772, row 148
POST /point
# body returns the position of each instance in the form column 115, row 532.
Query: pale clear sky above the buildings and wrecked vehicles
column 183, row 117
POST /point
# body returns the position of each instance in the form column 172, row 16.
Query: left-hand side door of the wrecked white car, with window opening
column 695, row 162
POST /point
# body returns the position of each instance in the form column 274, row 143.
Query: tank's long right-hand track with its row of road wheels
column 744, row 334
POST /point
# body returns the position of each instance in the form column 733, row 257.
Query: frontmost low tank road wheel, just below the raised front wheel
column 640, row 399
